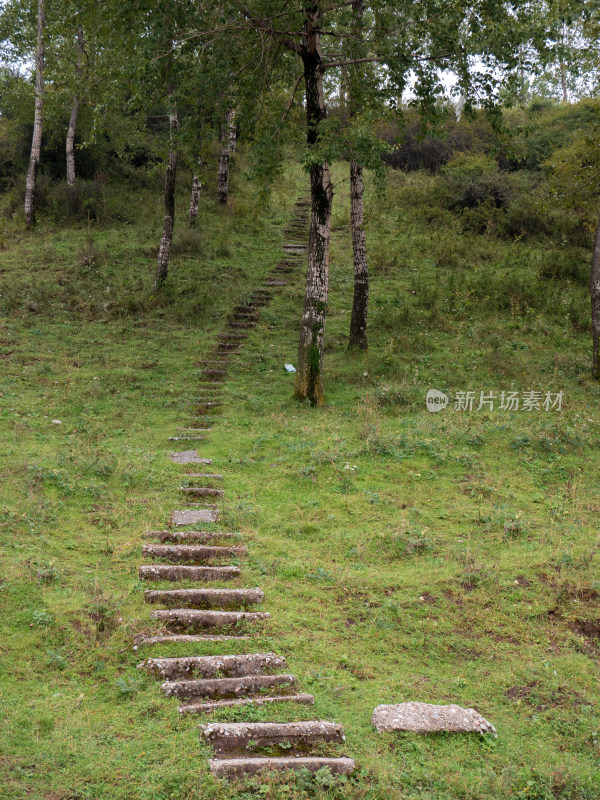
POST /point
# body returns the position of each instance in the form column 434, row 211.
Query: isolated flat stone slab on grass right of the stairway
column 429, row 718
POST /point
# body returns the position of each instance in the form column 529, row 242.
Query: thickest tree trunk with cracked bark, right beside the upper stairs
column 309, row 375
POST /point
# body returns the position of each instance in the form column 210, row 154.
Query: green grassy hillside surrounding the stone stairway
column 404, row 555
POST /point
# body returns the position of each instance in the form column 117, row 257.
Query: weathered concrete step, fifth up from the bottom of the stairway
column 211, row 666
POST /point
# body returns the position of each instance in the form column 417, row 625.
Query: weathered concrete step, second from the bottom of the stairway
column 231, row 737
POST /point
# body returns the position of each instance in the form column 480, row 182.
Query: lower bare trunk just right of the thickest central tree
column 360, row 303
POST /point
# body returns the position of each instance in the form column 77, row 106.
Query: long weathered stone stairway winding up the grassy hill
column 207, row 683
